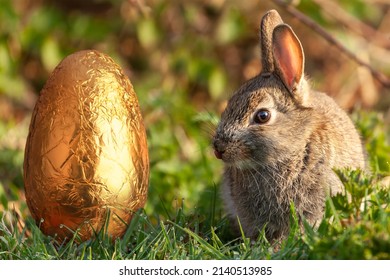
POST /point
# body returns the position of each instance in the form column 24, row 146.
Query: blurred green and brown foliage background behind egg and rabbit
column 184, row 58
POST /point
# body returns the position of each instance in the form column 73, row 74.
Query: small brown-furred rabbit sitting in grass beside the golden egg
column 280, row 140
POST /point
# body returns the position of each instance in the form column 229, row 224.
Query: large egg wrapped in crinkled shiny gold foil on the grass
column 86, row 154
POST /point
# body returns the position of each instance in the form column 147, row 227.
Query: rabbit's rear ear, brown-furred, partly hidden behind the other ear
column 269, row 21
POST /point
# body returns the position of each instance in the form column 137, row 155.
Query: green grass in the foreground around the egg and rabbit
column 353, row 228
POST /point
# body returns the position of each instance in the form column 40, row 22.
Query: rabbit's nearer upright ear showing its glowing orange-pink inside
column 288, row 56
